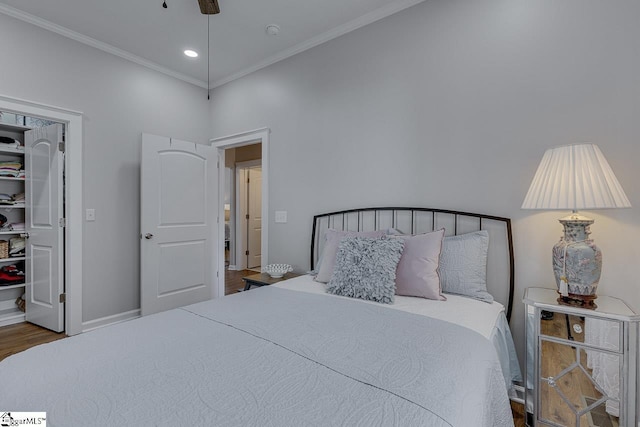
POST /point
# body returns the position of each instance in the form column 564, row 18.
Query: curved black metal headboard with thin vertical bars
column 500, row 264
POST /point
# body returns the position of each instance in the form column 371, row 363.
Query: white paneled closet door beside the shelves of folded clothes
column 44, row 246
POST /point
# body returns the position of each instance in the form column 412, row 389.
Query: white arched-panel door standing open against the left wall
column 178, row 210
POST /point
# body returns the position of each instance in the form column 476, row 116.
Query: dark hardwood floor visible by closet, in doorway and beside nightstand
column 19, row 337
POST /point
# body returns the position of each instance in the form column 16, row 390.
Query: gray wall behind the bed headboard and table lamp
column 451, row 104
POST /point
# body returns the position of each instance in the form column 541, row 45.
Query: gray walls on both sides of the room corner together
column 447, row 104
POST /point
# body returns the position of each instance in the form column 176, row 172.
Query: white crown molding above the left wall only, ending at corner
column 63, row 31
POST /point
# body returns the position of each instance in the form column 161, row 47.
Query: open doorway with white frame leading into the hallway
column 234, row 152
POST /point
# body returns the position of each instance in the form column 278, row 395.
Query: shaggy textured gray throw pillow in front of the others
column 366, row 268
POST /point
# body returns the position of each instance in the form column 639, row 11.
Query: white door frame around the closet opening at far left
column 72, row 196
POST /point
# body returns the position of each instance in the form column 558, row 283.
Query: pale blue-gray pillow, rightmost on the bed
column 463, row 265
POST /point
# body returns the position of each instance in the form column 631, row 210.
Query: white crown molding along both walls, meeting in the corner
column 338, row 31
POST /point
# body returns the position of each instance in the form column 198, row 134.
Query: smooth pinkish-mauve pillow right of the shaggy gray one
column 417, row 272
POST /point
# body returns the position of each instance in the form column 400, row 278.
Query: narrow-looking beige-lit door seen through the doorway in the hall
column 254, row 220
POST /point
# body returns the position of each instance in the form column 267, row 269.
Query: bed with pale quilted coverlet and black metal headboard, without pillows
column 291, row 354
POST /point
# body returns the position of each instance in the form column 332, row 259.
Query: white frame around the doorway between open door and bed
column 232, row 141
